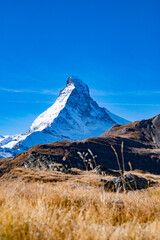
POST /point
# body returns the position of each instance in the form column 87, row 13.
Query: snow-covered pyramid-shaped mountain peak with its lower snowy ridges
column 73, row 116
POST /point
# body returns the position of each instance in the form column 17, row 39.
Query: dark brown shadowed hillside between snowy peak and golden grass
column 141, row 150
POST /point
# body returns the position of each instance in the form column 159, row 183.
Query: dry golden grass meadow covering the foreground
column 51, row 205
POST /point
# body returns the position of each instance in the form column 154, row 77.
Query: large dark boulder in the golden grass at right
column 128, row 182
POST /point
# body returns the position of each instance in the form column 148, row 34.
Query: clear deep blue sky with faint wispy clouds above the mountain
column 113, row 46
